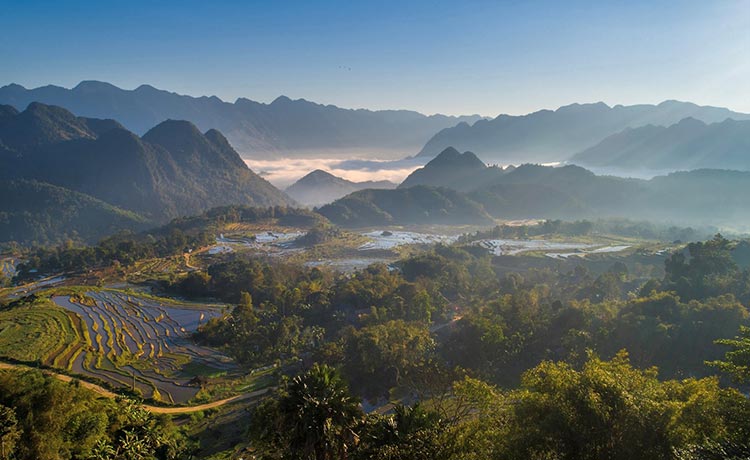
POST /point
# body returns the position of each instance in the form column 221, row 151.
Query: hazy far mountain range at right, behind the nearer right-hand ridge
column 551, row 136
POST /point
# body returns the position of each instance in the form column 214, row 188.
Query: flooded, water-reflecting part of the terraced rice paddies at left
column 130, row 341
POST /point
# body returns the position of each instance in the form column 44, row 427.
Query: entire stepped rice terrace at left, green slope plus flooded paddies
column 126, row 341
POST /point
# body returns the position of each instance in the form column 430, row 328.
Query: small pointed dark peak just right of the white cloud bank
column 459, row 171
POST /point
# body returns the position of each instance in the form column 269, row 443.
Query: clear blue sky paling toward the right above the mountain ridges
column 452, row 56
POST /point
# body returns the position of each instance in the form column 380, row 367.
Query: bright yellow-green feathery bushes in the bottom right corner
column 612, row 410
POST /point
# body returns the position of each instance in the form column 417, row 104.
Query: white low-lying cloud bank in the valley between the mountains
column 283, row 173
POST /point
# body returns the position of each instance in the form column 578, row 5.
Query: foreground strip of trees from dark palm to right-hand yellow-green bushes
column 605, row 409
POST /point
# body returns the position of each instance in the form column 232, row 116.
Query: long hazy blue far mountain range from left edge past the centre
column 291, row 127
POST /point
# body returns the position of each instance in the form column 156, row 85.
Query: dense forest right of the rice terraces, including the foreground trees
column 541, row 365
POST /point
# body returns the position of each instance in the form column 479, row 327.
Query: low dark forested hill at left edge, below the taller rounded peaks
column 38, row 213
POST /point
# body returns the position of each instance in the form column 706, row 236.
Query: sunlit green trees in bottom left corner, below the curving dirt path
column 62, row 420
